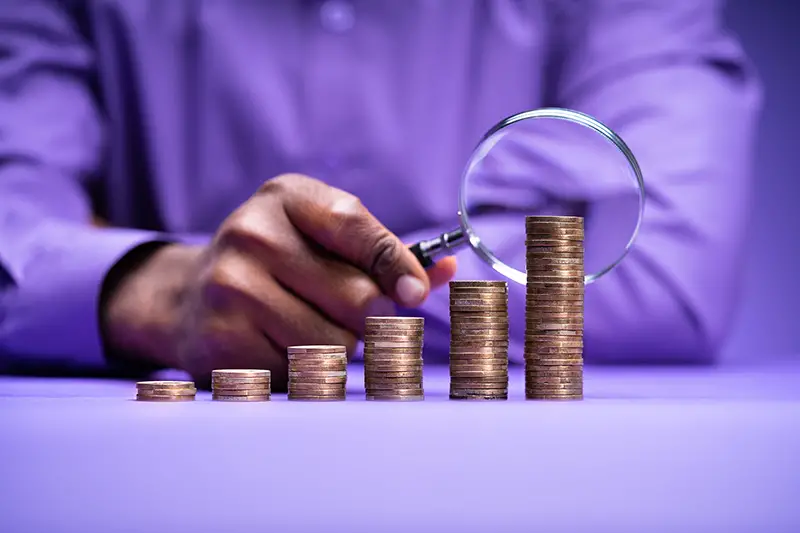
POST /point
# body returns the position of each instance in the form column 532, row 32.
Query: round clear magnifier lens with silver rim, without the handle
column 550, row 162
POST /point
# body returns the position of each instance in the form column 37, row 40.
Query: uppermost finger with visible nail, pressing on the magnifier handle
column 340, row 223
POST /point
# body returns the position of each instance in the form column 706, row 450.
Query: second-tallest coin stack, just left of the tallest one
column 478, row 340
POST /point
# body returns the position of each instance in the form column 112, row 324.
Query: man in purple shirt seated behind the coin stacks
column 262, row 163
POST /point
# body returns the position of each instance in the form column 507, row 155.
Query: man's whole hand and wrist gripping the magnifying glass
column 299, row 263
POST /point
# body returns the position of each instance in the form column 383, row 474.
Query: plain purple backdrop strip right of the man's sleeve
column 768, row 320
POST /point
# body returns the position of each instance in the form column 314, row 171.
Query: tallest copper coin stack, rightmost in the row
column 554, row 308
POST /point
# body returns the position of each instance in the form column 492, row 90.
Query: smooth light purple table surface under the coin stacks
column 692, row 449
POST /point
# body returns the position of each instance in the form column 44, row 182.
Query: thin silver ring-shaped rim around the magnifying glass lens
column 486, row 144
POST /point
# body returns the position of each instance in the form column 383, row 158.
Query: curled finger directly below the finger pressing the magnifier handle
column 340, row 291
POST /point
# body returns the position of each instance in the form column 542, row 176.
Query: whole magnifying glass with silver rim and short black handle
column 531, row 160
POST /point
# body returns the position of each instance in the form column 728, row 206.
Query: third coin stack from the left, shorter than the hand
column 317, row 372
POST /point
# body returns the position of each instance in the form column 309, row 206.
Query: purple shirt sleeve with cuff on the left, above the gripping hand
column 52, row 261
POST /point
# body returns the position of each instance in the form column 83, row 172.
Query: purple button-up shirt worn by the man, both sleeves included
column 163, row 116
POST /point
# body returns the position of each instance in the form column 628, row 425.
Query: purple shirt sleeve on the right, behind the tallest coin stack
column 667, row 78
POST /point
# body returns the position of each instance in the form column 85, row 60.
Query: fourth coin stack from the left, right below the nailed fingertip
column 393, row 358
